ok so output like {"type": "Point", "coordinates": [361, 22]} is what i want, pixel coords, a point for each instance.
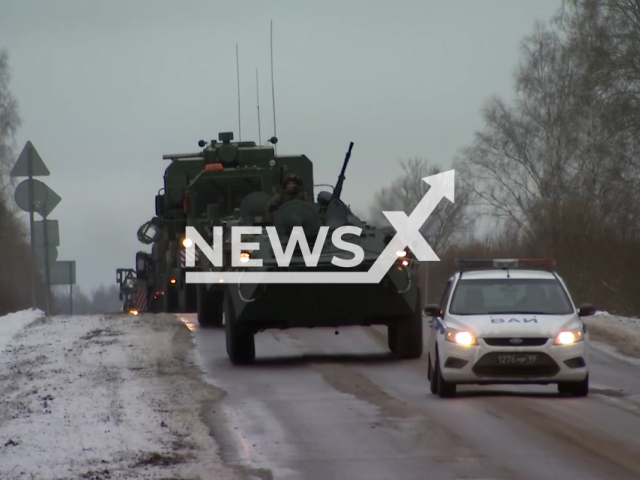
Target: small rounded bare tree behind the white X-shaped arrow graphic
{"type": "Point", "coordinates": [406, 191]}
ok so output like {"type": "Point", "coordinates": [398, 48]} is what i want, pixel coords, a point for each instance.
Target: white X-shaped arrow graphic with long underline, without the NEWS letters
{"type": "Point", "coordinates": [408, 235]}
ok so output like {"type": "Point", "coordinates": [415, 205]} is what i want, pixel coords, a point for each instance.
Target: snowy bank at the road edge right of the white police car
{"type": "Point", "coordinates": [623, 333]}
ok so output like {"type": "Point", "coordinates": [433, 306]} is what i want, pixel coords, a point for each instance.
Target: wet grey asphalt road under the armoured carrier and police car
{"type": "Point", "coordinates": [321, 406]}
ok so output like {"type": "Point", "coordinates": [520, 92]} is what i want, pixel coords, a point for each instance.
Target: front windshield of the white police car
{"type": "Point", "coordinates": [509, 295]}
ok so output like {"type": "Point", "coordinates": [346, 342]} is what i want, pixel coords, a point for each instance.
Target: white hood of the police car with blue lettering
{"type": "Point", "coordinates": [514, 324]}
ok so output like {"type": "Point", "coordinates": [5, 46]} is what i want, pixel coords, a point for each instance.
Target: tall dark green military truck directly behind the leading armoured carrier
{"type": "Point", "coordinates": [228, 174]}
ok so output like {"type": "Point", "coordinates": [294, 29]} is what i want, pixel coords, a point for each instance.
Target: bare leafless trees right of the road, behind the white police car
{"type": "Point", "coordinates": [555, 172]}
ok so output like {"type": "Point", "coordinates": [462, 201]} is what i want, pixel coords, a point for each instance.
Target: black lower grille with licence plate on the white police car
{"type": "Point", "coordinates": [493, 365]}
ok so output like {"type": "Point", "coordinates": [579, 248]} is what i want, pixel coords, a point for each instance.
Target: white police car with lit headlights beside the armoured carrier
{"type": "Point", "coordinates": [507, 322]}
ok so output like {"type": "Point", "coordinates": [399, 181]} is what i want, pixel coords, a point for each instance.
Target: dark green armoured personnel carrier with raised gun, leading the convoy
{"type": "Point", "coordinates": [396, 301]}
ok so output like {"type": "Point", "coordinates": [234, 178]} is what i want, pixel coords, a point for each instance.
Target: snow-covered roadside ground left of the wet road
{"type": "Point", "coordinates": [101, 397]}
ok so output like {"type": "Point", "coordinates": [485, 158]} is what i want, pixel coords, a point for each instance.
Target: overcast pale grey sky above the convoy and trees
{"type": "Point", "coordinates": [106, 88]}
